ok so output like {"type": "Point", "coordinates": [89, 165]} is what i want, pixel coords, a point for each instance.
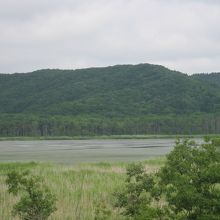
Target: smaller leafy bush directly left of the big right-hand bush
{"type": "Point", "coordinates": [140, 196]}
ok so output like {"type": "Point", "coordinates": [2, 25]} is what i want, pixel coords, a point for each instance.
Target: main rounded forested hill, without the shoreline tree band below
{"type": "Point", "coordinates": [111, 91]}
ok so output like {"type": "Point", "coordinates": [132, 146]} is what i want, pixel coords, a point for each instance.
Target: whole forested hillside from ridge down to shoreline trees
{"type": "Point", "coordinates": [100, 97]}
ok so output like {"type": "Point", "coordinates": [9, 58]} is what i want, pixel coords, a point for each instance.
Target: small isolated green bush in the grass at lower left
{"type": "Point", "coordinates": [36, 201]}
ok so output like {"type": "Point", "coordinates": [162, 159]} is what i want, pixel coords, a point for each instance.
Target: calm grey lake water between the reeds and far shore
{"type": "Point", "coordinates": [75, 151]}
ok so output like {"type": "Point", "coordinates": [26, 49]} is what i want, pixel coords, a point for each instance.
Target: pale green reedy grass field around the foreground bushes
{"type": "Point", "coordinates": [79, 189]}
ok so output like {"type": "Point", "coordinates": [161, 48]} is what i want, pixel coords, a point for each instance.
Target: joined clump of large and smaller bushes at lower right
{"type": "Point", "coordinates": [186, 187]}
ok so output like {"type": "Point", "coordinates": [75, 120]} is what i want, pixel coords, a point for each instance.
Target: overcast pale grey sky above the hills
{"type": "Point", "coordinates": [183, 35]}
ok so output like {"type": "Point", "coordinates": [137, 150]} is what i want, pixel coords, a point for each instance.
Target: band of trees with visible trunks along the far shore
{"type": "Point", "coordinates": [32, 125]}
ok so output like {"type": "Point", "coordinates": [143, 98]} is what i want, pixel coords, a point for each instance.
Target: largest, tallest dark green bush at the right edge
{"type": "Point", "coordinates": [190, 179]}
